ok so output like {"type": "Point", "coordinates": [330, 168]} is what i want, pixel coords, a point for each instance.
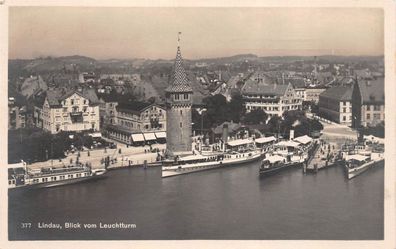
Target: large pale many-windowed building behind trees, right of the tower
{"type": "Point", "coordinates": [274, 99]}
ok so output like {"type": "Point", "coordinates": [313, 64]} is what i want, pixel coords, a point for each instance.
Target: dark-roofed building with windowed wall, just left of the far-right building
{"type": "Point", "coordinates": [336, 104]}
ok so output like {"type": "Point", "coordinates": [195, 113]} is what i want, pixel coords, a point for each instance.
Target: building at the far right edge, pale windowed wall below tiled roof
{"type": "Point", "coordinates": [373, 101]}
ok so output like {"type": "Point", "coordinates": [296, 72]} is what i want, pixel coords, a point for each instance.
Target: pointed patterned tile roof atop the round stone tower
{"type": "Point", "coordinates": [180, 82]}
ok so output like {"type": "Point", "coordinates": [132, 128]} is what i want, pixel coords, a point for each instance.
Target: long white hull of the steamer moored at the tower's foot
{"type": "Point", "coordinates": [186, 169]}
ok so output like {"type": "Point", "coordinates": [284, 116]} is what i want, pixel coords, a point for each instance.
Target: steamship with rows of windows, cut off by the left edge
{"type": "Point", "coordinates": [21, 177]}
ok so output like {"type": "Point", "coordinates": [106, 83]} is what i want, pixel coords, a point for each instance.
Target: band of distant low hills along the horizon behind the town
{"type": "Point", "coordinates": [77, 63]}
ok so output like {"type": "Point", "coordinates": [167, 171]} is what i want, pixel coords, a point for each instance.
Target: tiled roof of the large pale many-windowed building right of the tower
{"type": "Point", "coordinates": [254, 87]}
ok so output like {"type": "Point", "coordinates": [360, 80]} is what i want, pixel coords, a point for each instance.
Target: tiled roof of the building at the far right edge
{"type": "Point", "coordinates": [372, 91]}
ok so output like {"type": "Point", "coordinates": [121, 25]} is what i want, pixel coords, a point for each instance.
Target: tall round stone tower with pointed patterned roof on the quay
{"type": "Point", "coordinates": [178, 111]}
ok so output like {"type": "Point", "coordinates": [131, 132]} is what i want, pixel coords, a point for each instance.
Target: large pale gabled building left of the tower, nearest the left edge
{"type": "Point", "coordinates": [68, 110]}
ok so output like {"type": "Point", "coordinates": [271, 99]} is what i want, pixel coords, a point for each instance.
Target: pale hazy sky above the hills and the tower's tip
{"type": "Point", "coordinates": [126, 33]}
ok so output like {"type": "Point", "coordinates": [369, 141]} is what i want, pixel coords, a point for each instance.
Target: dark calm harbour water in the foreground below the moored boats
{"type": "Point", "coordinates": [228, 203]}
